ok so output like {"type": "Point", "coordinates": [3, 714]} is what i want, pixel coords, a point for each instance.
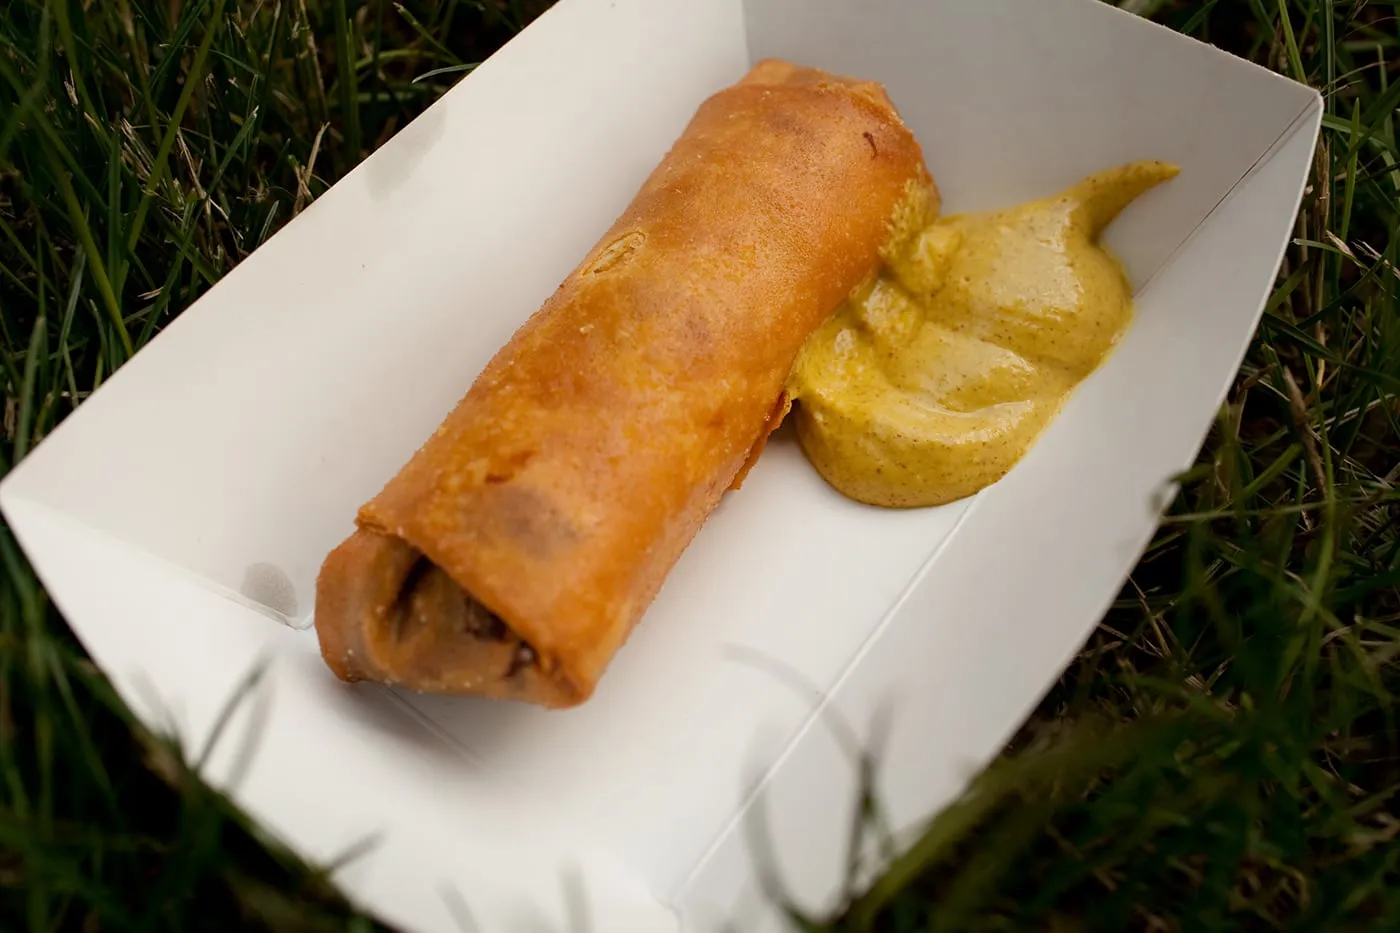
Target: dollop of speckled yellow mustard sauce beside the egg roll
{"type": "Point", "coordinates": [934, 379]}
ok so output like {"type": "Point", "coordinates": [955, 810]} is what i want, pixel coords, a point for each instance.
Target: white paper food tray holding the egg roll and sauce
{"type": "Point", "coordinates": [194, 498]}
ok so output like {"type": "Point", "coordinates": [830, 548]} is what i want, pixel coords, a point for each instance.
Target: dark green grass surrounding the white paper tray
{"type": "Point", "coordinates": [1221, 757]}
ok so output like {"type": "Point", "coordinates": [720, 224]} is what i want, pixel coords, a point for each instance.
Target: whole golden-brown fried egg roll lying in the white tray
{"type": "Point", "coordinates": [516, 551]}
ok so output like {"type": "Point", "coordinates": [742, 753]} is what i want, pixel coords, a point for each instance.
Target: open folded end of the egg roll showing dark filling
{"type": "Point", "coordinates": [412, 624]}
